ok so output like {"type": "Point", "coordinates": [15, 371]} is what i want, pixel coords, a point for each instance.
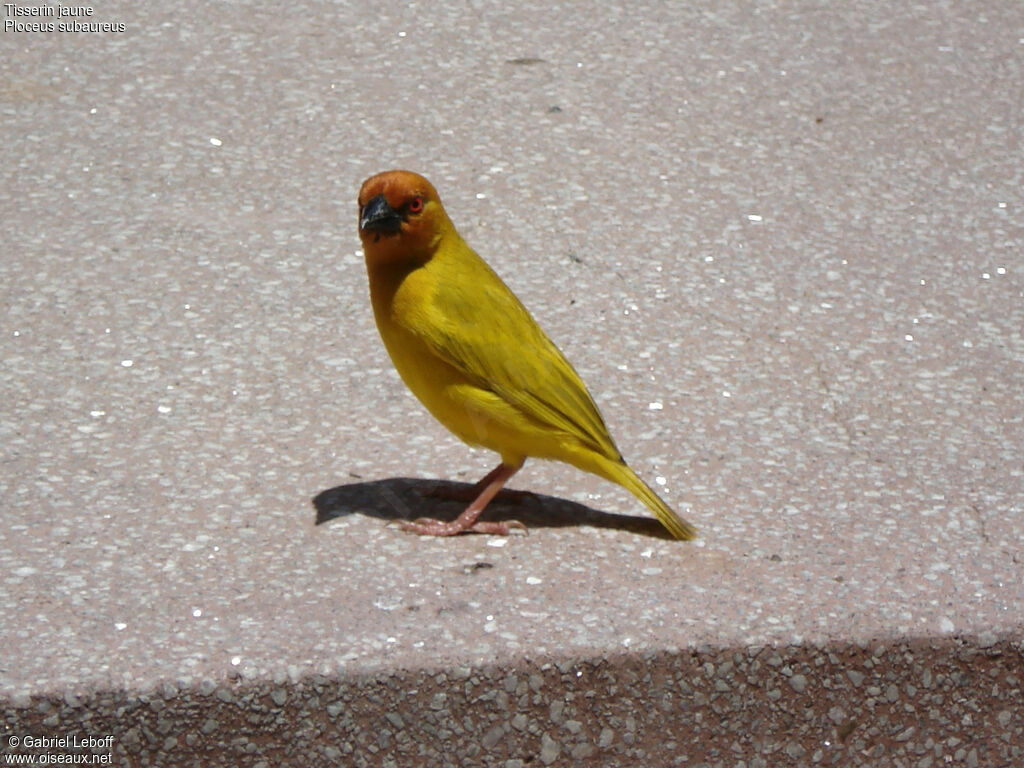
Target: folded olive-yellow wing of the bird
{"type": "Point", "coordinates": [478, 325]}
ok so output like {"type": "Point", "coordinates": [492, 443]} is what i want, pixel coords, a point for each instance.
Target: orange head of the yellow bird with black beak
{"type": "Point", "coordinates": [401, 219]}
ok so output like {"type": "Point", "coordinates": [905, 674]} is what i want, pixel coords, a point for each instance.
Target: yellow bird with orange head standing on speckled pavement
{"type": "Point", "coordinates": [471, 352]}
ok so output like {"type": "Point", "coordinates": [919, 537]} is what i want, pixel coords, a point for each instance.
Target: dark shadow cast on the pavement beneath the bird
{"type": "Point", "coordinates": [408, 499]}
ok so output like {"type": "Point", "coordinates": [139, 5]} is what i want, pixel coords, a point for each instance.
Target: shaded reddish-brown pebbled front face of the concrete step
{"type": "Point", "coordinates": [909, 704]}
